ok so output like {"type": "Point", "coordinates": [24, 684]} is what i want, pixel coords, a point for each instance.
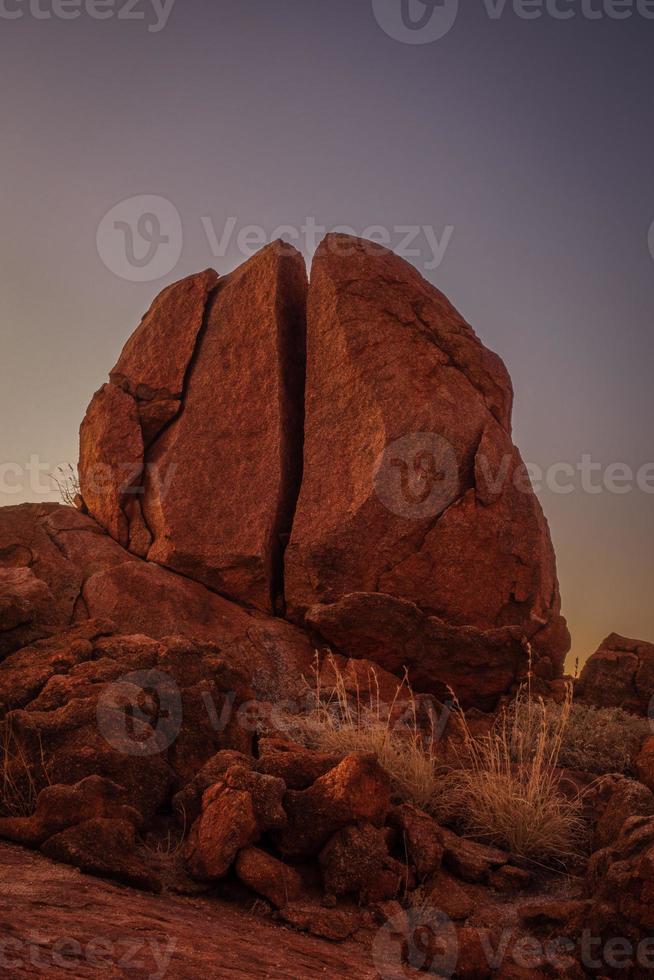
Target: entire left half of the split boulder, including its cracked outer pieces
{"type": "Point", "coordinates": [203, 472]}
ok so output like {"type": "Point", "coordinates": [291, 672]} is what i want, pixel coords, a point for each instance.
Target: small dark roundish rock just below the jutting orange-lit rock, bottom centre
{"type": "Point", "coordinates": [352, 859]}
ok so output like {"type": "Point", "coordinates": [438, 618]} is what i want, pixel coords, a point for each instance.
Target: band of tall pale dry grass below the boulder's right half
{"type": "Point", "coordinates": [503, 788]}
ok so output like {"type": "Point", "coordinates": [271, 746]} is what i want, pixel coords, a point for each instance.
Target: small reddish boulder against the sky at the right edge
{"type": "Point", "coordinates": [620, 674]}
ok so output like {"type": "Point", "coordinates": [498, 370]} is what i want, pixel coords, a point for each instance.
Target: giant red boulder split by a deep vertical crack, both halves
{"type": "Point", "coordinates": [341, 457]}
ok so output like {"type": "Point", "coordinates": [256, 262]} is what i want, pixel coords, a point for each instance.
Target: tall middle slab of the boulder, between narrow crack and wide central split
{"type": "Point", "coordinates": [223, 477]}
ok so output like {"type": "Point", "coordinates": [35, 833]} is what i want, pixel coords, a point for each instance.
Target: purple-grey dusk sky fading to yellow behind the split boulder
{"type": "Point", "coordinates": [532, 139]}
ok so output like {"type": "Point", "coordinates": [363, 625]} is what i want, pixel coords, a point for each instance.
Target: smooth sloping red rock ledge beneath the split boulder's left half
{"type": "Point", "coordinates": [90, 577]}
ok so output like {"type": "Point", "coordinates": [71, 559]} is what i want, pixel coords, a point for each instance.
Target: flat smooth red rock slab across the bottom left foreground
{"type": "Point", "coordinates": [97, 928]}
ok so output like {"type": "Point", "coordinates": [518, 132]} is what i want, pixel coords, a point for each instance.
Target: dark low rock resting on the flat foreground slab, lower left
{"type": "Point", "coordinates": [105, 847]}
